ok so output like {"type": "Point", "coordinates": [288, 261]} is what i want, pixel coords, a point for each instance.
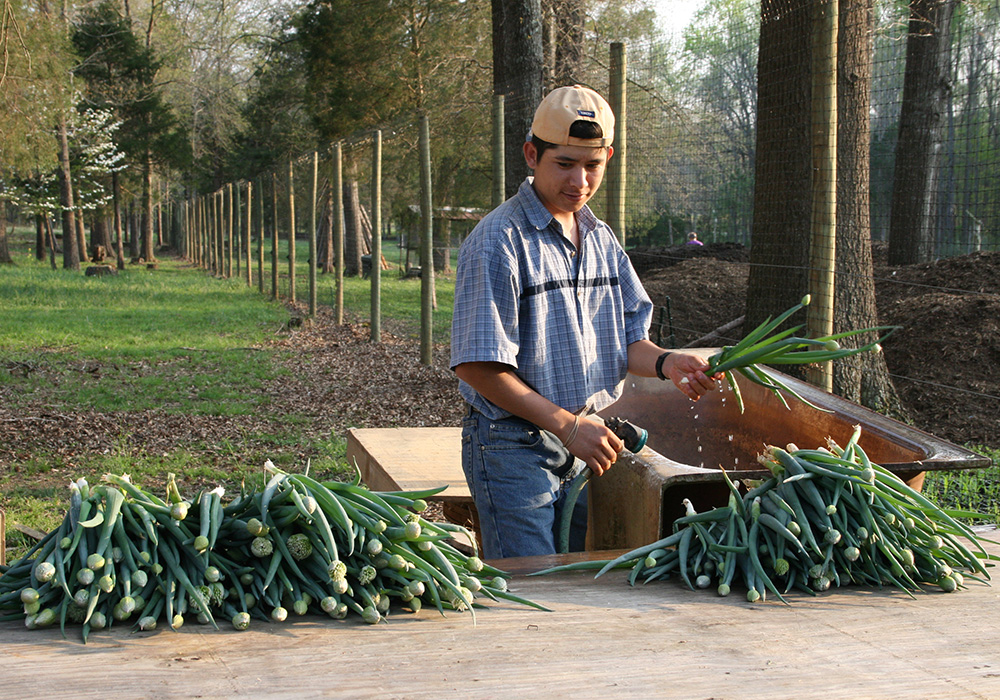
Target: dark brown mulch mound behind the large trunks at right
{"type": "Point", "coordinates": [945, 359]}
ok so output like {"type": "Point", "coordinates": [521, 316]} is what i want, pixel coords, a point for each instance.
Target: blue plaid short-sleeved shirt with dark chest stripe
{"type": "Point", "coordinates": [563, 320]}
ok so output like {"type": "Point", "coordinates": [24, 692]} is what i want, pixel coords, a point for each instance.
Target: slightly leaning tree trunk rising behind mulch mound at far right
{"type": "Point", "coordinates": [926, 84]}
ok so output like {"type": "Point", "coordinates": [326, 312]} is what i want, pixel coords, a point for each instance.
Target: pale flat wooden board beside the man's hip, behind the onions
{"type": "Point", "coordinates": [410, 459]}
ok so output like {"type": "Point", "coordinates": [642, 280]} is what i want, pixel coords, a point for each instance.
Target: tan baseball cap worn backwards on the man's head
{"type": "Point", "coordinates": [565, 105]}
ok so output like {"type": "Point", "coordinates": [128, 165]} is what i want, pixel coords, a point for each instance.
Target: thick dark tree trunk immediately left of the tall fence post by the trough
{"type": "Point", "coordinates": [779, 257]}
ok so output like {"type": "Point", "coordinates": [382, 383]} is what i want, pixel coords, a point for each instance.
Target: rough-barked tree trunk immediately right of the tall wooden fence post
{"type": "Point", "coordinates": [863, 379]}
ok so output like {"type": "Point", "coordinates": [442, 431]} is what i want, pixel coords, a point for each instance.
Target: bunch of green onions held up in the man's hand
{"type": "Point", "coordinates": [784, 348]}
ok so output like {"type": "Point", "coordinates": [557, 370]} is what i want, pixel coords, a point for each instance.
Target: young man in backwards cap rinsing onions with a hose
{"type": "Point", "coordinates": [549, 318]}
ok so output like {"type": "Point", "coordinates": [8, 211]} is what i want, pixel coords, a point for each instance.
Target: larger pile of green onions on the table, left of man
{"type": "Point", "coordinates": [125, 555]}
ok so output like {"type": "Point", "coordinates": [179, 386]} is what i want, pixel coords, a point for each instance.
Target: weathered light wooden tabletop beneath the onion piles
{"type": "Point", "coordinates": [602, 639]}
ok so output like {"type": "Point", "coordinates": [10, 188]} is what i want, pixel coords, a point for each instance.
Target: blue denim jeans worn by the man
{"type": "Point", "coordinates": [519, 476]}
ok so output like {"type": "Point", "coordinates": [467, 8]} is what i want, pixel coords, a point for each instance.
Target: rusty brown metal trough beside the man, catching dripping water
{"type": "Point", "coordinates": [636, 501]}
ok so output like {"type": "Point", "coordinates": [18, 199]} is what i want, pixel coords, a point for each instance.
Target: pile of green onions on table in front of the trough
{"type": "Point", "coordinates": [825, 517]}
